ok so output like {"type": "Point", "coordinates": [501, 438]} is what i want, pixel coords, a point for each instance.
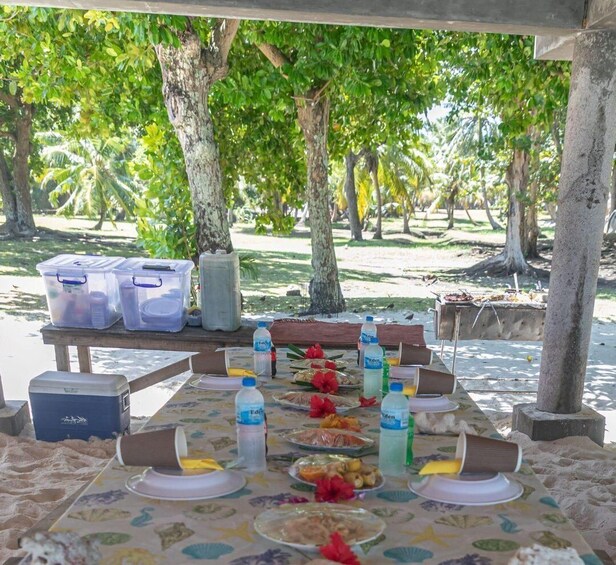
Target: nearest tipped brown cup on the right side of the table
{"type": "Point", "coordinates": [487, 455]}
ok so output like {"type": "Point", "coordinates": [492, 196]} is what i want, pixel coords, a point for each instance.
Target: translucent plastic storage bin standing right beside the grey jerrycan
{"type": "Point", "coordinates": [155, 293]}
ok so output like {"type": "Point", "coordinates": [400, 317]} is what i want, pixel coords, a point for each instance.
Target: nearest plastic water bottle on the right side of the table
{"type": "Point", "coordinates": [394, 427]}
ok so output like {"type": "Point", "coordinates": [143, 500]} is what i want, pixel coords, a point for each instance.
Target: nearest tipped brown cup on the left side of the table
{"type": "Point", "coordinates": [160, 448]}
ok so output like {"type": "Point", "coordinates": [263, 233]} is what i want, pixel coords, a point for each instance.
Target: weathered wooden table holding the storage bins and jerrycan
{"type": "Point", "coordinates": [191, 340]}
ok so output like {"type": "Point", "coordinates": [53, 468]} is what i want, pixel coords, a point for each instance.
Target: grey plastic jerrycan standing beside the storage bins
{"type": "Point", "coordinates": [219, 276]}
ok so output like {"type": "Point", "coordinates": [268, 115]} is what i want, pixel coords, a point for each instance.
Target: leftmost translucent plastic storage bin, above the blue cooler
{"type": "Point", "coordinates": [81, 290]}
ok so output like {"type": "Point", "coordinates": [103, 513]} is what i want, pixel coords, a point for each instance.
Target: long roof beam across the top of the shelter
{"type": "Point", "coordinates": [535, 17]}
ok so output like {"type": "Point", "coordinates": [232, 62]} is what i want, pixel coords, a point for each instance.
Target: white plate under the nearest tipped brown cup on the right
{"type": "Point", "coordinates": [468, 490]}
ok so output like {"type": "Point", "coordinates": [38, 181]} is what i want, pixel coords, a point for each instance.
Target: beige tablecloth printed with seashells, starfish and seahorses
{"type": "Point", "coordinates": [136, 530]}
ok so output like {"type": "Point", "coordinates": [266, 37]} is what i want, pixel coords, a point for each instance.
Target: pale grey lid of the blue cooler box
{"type": "Point", "coordinates": [91, 384]}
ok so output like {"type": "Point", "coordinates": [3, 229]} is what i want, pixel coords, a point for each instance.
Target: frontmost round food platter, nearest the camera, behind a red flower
{"type": "Point", "coordinates": [308, 526]}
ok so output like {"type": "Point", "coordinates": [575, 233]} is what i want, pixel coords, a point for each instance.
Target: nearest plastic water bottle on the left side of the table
{"type": "Point", "coordinates": [250, 422]}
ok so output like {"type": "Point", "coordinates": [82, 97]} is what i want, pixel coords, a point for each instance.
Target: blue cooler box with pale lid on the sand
{"type": "Point", "coordinates": [79, 405]}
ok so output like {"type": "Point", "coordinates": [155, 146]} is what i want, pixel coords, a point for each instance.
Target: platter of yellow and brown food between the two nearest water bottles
{"type": "Point", "coordinates": [364, 477]}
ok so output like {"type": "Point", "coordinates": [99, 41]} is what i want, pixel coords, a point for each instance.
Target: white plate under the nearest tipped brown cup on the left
{"type": "Point", "coordinates": [169, 484]}
